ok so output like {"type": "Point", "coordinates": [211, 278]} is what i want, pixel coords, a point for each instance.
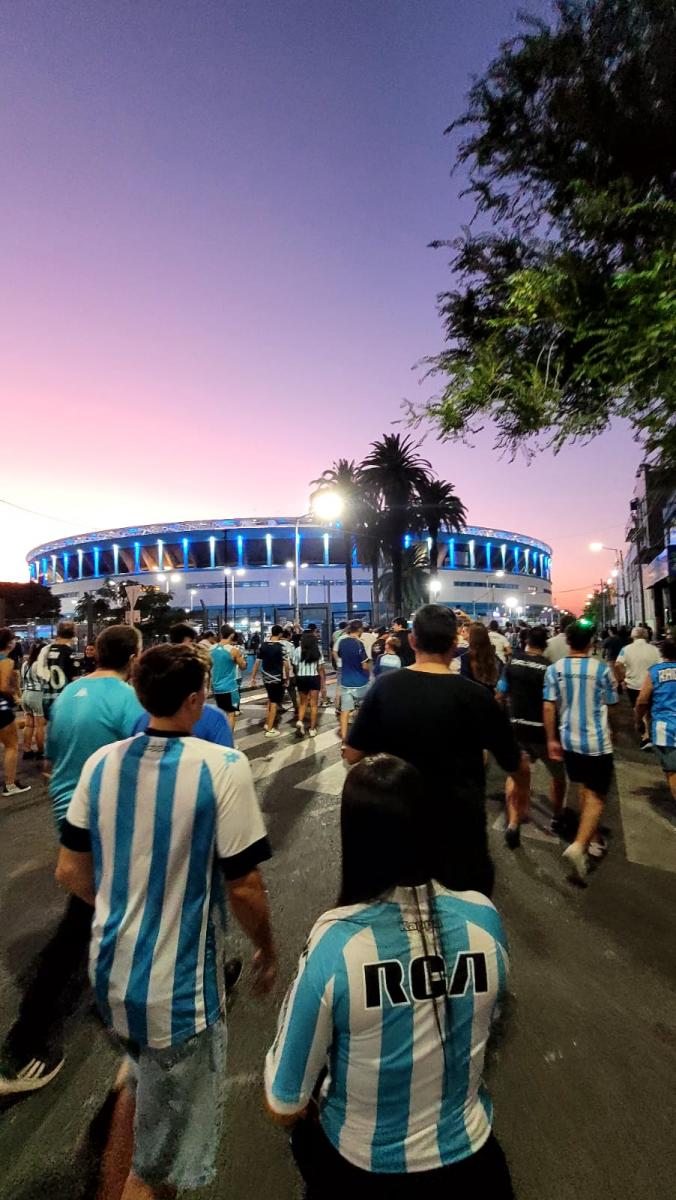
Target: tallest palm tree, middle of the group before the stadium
{"type": "Point", "coordinates": [396, 471]}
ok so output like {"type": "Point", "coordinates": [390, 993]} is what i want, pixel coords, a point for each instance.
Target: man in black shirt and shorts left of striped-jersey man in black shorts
{"type": "Point", "coordinates": [522, 686]}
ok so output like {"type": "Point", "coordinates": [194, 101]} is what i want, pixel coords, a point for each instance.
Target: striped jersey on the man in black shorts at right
{"type": "Point", "coordinates": [583, 689]}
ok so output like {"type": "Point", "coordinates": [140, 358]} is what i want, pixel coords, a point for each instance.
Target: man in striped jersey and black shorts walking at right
{"type": "Point", "coordinates": [581, 691]}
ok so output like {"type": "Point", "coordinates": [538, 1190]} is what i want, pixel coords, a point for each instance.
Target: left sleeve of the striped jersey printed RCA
{"type": "Point", "coordinates": [304, 1039]}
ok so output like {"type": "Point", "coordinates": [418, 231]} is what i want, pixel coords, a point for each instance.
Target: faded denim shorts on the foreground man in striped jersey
{"type": "Point", "coordinates": [180, 1109]}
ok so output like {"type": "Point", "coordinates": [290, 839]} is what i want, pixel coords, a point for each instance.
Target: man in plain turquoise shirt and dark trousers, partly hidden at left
{"type": "Point", "coordinates": [91, 713]}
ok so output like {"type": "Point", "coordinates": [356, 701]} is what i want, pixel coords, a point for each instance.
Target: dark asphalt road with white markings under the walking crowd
{"type": "Point", "coordinates": [584, 1079]}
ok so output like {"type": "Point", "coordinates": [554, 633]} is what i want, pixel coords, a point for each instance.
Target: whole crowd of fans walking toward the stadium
{"type": "Point", "coordinates": [379, 1057]}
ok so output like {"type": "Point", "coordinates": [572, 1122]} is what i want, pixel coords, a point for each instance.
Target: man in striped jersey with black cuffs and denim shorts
{"type": "Point", "coordinates": [165, 817]}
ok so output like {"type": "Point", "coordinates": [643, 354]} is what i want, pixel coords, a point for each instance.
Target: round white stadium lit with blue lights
{"type": "Point", "coordinates": [259, 569]}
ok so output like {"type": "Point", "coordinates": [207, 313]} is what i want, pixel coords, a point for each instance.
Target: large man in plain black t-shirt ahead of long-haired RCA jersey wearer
{"type": "Point", "coordinates": [441, 724]}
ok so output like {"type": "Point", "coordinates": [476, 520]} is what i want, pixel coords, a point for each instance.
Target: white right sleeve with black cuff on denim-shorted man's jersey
{"type": "Point", "coordinates": [242, 842]}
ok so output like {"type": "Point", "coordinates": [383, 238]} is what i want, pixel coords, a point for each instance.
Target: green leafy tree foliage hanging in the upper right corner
{"type": "Point", "coordinates": [565, 310]}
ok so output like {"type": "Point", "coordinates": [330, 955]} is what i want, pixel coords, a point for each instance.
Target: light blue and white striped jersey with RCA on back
{"type": "Point", "coordinates": [363, 1004]}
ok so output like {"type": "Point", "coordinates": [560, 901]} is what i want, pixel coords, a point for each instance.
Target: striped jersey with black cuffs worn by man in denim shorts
{"type": "Point", "coordinates": [160, 812]}
